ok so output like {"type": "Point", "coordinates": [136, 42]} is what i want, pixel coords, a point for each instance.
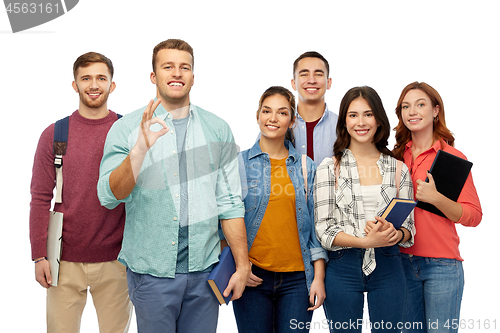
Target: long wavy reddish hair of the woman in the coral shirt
{"type": "Point", "coordinates": [403, 134]}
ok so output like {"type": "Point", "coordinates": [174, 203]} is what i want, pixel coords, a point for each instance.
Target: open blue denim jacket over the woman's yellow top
{"type": "Point", "coordinates": [255, 168]}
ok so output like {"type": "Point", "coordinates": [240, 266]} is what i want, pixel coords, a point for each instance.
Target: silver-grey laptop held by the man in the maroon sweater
{"type": "Point", "coordinates": [54, 245]}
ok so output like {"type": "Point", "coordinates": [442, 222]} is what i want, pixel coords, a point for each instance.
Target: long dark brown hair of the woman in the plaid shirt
{"type": "Point", "coordinates": [383, 131]}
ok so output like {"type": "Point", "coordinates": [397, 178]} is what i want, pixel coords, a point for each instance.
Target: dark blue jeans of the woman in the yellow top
{"type": "Point", "coordinates": [277, 305]}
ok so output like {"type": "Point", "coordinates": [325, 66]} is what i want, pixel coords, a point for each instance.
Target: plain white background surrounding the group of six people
{"type": "Point", "coordinates": [240, 50]}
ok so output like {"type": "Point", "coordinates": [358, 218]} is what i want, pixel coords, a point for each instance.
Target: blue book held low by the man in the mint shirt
{"type": "Point", "coordinates": [220, 275]}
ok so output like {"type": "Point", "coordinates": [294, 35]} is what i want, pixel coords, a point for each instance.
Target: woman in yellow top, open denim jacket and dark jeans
{"type": "Point", "coordinates": [288, 262]}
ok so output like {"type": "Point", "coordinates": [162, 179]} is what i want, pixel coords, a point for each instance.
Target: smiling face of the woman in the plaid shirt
{"type": "Point", "coordinates": [360, 122]}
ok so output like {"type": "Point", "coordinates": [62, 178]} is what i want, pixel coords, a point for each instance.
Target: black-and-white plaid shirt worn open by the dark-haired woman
{"type": "Point", "coordinates": [341, 209]}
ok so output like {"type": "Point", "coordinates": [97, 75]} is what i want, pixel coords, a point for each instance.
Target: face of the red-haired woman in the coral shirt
{"type": "Point", "coordinates": [417, 111]}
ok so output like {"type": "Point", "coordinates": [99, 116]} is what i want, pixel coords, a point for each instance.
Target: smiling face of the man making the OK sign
{"type": "Point", "coordinates": [173, 77]}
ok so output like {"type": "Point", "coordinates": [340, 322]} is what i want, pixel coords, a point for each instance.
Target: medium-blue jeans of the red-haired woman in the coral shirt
{"type": "Point", "coordinates": [434, 288]}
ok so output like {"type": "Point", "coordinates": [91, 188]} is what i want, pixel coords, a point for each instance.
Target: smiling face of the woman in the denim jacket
{"type": "Point", "coordinates": [274, 117]}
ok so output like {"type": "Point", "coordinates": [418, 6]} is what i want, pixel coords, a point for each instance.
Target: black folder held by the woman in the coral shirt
{"type": "Point", "coordinates": [450, 173]}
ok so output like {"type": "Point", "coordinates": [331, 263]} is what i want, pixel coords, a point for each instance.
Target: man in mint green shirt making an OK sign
{"type": "Point", "coordinates": [175, 167]}
